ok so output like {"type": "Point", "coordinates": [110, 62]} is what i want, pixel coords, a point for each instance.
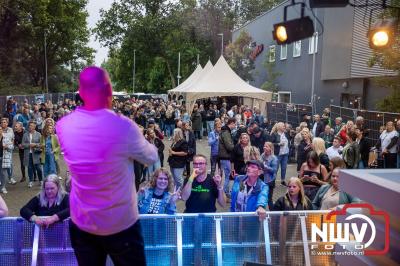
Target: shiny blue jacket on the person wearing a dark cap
{"type": "Point", "coordinates": [258, 197]}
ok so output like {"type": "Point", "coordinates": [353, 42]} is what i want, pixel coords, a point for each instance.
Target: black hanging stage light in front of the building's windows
{"type": "Point", "coordinates": [293, 30]}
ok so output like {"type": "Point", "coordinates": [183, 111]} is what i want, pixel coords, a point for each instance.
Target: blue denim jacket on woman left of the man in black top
{"type": "Point", "coordinates": [144, 200]}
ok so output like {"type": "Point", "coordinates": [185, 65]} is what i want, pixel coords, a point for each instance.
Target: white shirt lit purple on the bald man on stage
{"type": "Point", "coordinates": [99, 148]}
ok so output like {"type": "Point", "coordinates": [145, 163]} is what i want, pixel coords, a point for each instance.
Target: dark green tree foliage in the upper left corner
{"type": "Point", "coordinates": [24, 26]}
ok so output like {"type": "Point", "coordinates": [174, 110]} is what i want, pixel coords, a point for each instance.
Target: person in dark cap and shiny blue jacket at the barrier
{"type": "Point", "coordinates": [249, 193]}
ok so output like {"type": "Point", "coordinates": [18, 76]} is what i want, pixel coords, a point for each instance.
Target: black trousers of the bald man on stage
{"type": "Point", "coordinates": [124, 248]}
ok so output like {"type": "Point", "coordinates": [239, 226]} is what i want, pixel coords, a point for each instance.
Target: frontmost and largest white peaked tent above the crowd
{"type": "Point", "coordinates": [221, 80]}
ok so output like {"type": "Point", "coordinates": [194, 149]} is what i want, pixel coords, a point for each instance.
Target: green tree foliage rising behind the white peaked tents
{"type": "Point", "coordinates": [159, 30]}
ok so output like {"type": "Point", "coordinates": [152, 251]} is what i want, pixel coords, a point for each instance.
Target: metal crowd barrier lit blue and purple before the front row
{"type": "Point", "coordinates": [182, 239]}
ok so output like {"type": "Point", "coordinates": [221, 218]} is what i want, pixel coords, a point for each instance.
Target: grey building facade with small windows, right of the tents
{"type": "Point", "coordinates": [341, 73]}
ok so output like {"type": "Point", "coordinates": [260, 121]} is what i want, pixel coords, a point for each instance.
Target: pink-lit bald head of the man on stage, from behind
{"type": "Point", "coordinates": [95, 88]}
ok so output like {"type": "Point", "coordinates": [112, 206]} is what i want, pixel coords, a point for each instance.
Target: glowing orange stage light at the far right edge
{"type": "Point", "coordinates": [381, 35]}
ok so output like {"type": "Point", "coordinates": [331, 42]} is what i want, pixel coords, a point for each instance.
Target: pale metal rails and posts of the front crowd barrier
{"type": "Point", "coordinates": [219, 245]}
